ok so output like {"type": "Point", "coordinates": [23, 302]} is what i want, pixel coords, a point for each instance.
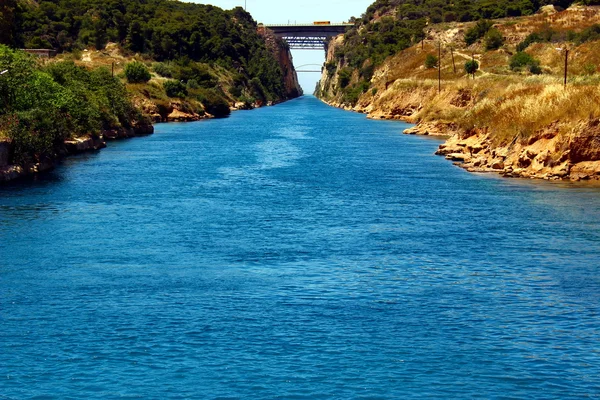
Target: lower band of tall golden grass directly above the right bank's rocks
{"type": "Point", "coordinates": [511, 108]}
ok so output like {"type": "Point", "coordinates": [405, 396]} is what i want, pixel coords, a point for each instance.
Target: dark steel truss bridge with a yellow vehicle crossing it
{"type": "Point", "coordinates": [313, 36]}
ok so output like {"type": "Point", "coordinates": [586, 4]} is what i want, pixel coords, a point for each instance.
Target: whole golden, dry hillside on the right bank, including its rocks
{"type": "Point", "coordinates": [513, 116]}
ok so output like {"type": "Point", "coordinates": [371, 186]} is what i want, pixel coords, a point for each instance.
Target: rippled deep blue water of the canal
{"type": "Point", "coordinates": [295, 252]}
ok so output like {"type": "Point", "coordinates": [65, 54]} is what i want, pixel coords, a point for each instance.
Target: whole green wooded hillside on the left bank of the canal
{"type": "Point", "coordinates": [122, 65]}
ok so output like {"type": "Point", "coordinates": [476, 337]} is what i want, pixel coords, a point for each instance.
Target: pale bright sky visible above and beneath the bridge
{"type": "Point", "coordinates": [300, 11]}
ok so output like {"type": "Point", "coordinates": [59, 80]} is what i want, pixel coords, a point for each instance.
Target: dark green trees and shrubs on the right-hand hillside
{"type": "Point", "coordinates": [391, 26]}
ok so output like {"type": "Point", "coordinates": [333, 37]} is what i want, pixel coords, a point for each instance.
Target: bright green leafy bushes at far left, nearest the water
{"type": "Point", "coordinates": [41, 106]}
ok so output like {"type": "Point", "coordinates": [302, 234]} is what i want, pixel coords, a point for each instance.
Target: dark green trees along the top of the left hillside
{"type": "Point", "coordinates": [162, 30]}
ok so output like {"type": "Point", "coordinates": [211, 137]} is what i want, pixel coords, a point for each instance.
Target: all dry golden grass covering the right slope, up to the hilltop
{"type": "Point", "coordinates": [509, 105]}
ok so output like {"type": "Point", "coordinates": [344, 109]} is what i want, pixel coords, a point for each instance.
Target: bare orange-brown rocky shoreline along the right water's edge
{"type": "Point", "coordinates": [547, 155]}
